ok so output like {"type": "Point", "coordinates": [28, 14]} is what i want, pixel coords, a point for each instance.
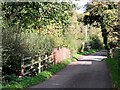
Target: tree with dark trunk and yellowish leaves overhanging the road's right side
{"type": "Point", "coordinates": [104, 15]}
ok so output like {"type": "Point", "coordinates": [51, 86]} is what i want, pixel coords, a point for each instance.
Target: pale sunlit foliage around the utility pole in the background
{"type": "Point", "coordinates": [76, 35]}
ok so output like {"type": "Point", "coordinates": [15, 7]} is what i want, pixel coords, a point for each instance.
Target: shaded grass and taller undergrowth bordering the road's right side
{"type": "Point", "coordinates": [114, 65]}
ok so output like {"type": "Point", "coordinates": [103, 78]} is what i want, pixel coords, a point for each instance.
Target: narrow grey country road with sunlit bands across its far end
{"type": "Point", "coordinates": [88, 72]}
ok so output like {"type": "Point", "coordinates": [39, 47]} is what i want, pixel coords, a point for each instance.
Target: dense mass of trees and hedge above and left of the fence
{"type": "Point", "coordinates": [31, 28]}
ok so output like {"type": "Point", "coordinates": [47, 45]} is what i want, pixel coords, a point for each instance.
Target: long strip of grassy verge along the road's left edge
{"type": "Point", "coordinates": [26, 82]}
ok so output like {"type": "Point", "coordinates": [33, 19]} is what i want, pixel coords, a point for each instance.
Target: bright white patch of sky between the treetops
{"type": "Point", "coordinates": [80, 3]}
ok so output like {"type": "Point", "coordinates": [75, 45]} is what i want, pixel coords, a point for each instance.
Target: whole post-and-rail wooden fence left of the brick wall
{"type": "Point", "coordinates": [39, 61]}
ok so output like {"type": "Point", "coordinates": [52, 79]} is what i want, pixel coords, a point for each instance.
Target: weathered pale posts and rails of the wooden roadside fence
{"type": "Point", "coordinates": [39, 63]}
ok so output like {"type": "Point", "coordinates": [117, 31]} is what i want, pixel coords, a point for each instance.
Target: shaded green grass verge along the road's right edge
{"type": "Point", "coordinates": [114, 70]}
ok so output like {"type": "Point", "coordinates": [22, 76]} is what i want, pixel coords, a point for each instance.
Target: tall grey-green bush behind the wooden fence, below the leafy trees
{"type": "Point", "coordinates": [17, 45]}
